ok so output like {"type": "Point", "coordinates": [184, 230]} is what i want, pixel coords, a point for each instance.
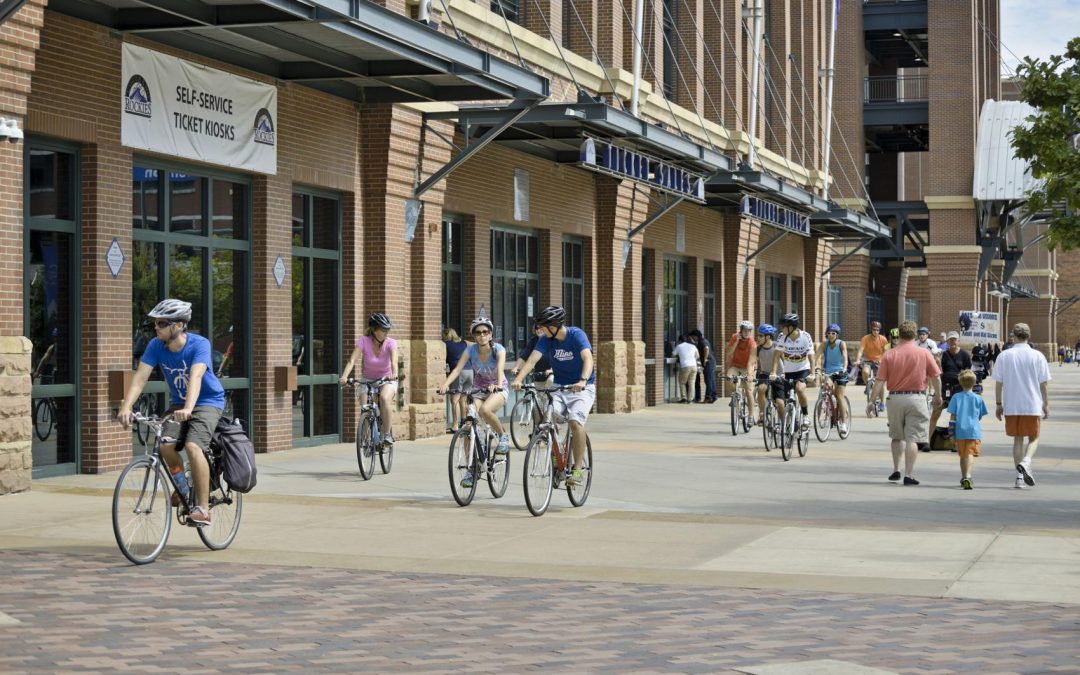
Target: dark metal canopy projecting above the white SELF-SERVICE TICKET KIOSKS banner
{"type": "Point", "coordinates": [352, 49]}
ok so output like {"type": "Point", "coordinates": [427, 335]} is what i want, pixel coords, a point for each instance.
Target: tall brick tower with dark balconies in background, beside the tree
{"type": "Point", "coordinates": [917, 75]}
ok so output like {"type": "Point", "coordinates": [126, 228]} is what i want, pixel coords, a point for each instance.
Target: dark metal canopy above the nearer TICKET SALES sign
{"type": "Point", "coordinates": [556, 131]}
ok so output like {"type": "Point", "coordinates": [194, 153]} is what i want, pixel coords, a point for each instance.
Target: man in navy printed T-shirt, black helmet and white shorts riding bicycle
{"type": "Point", "coordinates": [572, 360]}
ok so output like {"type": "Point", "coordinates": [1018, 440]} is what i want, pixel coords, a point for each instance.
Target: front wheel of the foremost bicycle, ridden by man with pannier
{"type": "Point", "coordinates": [142, 511]}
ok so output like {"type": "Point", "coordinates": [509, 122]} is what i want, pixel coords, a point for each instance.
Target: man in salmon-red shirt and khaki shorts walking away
{"type": "Point", "coordinates": [908, 371]}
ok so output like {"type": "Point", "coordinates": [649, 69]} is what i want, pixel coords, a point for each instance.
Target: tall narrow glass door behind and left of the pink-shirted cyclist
{"type": "Point", "coordinates": [317, 326]}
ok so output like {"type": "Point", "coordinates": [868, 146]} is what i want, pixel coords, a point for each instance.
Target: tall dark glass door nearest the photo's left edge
{"type": "Point", "coordinates": [51, 299]}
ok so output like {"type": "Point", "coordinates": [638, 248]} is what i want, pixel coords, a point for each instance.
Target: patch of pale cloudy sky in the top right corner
{"type": "Point", "coordinates": [1037, 29]}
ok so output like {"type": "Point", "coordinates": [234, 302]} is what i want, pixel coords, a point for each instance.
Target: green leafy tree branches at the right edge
{"type": "Point", "coordinates": [1051, 142]}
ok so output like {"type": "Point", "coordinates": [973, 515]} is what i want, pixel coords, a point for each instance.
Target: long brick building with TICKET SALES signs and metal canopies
{"type": "Point", "coordinates": [370, 207]}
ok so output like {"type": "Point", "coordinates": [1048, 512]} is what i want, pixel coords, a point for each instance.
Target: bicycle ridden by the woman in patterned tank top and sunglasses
{"type": "Point", "coordinates": [474, 456]}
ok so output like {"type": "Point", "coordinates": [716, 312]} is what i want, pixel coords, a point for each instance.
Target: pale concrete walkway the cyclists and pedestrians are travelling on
{"type": "Point", "coordinates": [677, 499]}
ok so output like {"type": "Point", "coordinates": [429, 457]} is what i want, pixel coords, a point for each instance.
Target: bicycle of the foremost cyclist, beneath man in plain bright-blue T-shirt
{"type": "Point", "coordinates": [142, 503]}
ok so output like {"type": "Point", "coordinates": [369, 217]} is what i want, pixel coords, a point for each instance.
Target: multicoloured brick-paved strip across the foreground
{"type": "Point", "coordinates": [96, 613]}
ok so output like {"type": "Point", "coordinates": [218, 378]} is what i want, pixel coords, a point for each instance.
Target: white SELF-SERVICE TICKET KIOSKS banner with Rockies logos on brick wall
{"type": "Point", "coordinates": [185, 110]}
